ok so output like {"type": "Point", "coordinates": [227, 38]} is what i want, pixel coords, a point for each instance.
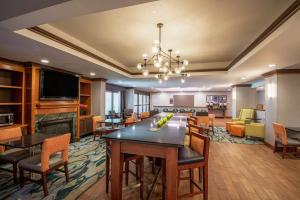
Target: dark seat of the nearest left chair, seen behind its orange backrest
{"type": "Point", "coordinates": [34, 162]}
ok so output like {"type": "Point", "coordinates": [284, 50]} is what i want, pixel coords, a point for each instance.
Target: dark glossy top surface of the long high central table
{"type": "Point", "coordinates": [171, 134]}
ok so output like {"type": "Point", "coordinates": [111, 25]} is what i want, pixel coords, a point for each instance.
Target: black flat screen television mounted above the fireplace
{"type": "Point", "coordinates": [56, 85]}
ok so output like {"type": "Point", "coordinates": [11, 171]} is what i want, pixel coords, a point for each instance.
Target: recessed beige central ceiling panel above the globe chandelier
{"type": "Point", "coordinates": [204, 31]}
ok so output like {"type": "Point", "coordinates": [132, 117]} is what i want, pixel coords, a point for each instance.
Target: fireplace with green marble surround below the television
{"type": "Point", "coordinates": [56, 124]}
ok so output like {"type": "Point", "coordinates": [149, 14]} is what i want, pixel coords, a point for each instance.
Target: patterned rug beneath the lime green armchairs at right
{"type": "Point", "coordinates": [221, 135]}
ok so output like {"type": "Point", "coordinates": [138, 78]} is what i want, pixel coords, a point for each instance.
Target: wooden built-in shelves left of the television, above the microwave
{"type": "Point", "coordinates": [12, 90]}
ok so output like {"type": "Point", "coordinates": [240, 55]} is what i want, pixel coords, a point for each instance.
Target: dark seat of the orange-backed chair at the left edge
{"type": "Point", "coordinates": [14, 155]}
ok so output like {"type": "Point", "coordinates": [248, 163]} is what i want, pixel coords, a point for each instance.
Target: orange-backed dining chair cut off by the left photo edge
{"type": "Point", "coordinates": [12, 156]}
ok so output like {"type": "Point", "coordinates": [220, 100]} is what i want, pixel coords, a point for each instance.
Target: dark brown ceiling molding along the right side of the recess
{"type": "Point", "coordinates": [289, 12]}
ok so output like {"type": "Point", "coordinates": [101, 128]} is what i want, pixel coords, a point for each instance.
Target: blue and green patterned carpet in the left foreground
{"type": "Point", "coordinates": [86, 166]}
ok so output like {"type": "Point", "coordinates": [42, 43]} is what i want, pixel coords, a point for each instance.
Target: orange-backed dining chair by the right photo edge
{"type": "Point", "coordinates": [282, 138]}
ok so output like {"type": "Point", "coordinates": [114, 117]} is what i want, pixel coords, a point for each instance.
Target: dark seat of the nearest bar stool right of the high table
{"type": "Point", "coordinates": [187, 156]}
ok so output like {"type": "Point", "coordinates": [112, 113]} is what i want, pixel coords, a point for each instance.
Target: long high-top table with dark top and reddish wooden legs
{"type": "Point", "coordinates": [139, 140]}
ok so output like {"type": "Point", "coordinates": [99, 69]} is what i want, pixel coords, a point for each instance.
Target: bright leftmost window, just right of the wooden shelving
{"type": "Point", "coordinates": [112, 102]}
